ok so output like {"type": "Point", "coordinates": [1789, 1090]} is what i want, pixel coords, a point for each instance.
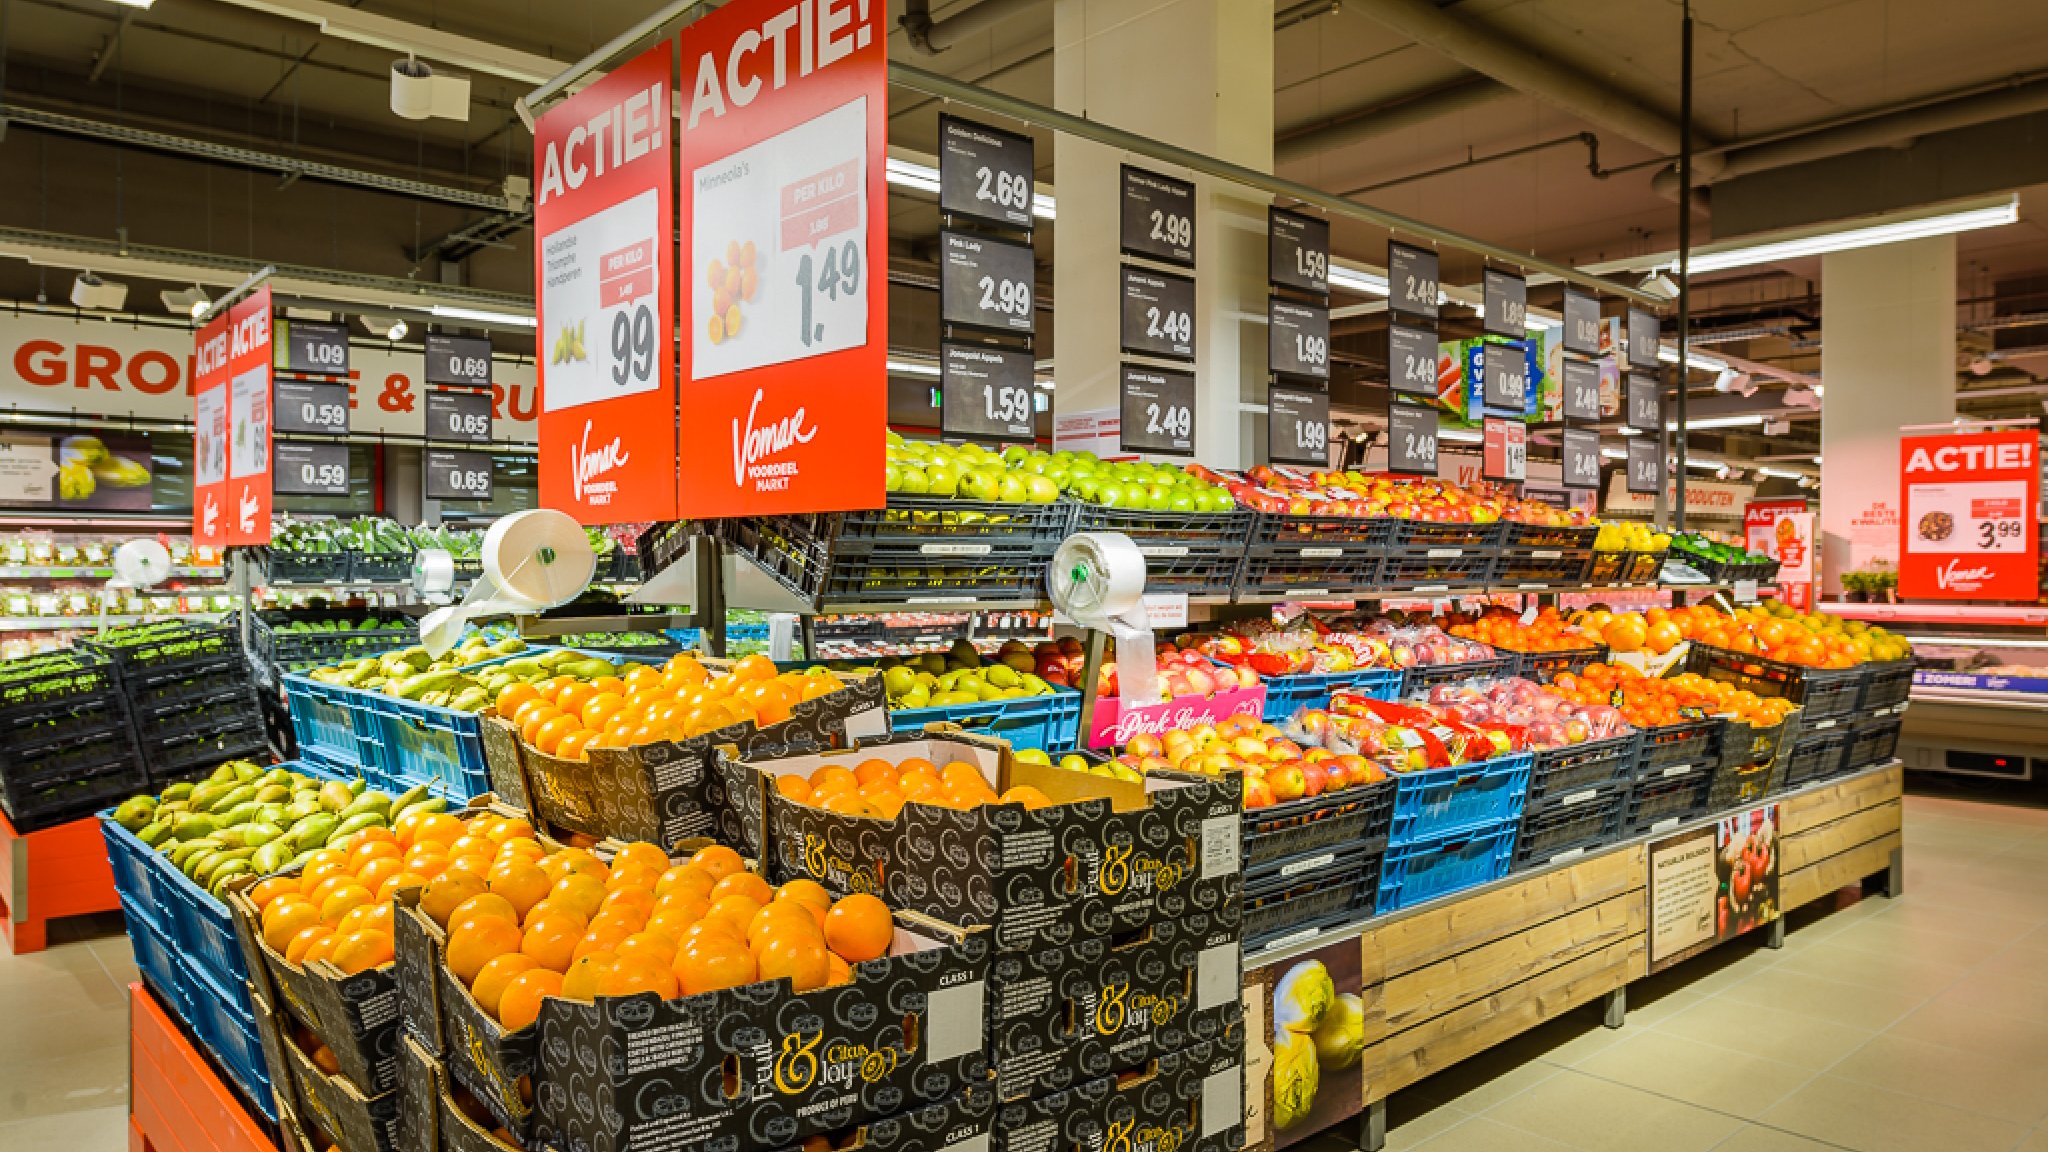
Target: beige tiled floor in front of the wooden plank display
{"type": "Point", "coordinates": [1885, 1026]}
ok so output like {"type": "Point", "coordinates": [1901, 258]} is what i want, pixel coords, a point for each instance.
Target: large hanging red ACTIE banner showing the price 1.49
{"type": "Point", "coordinates": [785, 253]}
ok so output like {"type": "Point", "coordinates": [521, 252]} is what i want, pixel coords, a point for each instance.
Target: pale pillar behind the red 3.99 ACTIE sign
{"type": "Point", "coordinates": [1887, 362]}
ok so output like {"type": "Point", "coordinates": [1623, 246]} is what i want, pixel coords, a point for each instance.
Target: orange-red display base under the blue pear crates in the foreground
{"type": "Point", "coordinates": [177, 1104]}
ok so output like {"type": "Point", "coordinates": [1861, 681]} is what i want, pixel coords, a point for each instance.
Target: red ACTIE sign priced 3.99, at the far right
{"type": "Point", "coordinates": [1969, 526]}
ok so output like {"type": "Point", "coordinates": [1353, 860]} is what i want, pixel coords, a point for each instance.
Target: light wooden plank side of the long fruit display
{"type": "Point", "coordinates": [1457, 977]}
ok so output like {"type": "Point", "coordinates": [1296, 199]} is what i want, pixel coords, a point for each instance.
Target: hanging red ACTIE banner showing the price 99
{"type": "Point", "coordinates": [607, 274]}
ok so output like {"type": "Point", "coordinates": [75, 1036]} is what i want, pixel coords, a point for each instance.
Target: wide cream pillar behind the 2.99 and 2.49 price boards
{"type": "Point", "coordinates": [1197, 75]}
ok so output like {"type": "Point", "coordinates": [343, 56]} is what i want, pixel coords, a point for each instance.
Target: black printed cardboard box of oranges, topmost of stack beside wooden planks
{"type": "Point", "coordinates": [1105, 858]}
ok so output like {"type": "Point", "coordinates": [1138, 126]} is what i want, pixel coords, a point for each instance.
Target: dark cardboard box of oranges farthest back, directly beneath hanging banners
{"type": "Point", "coordinates": [669, 792]}
